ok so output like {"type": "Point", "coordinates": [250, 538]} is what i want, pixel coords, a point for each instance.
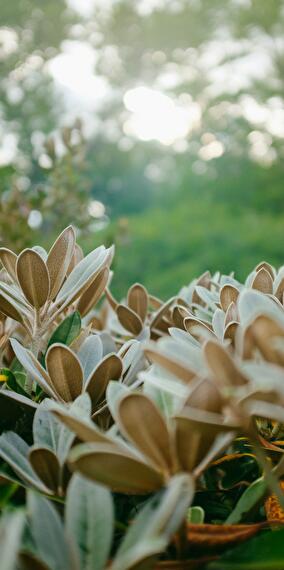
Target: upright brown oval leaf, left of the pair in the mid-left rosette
{"type": "Point", "coordinates": [65, 372]}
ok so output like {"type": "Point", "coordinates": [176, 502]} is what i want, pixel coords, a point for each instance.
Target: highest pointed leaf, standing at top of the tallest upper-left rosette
{"type": "Point", "coordinates": [59, 259]}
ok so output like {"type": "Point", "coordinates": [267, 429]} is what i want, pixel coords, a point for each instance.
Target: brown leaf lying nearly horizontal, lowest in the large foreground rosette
{"type": "Point", "coordinates": [106, 463]}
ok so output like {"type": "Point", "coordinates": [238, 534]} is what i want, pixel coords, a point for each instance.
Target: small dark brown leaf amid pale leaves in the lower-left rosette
{"type": "Point", "coordinates": [46, 466]}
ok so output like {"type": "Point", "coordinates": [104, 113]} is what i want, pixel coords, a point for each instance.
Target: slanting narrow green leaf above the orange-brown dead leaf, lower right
{"type": "Point", "coordinates": [249, 500]}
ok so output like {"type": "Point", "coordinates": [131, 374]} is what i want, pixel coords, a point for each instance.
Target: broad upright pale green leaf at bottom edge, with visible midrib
{"type": "Point", "coordinates": [89, 515]}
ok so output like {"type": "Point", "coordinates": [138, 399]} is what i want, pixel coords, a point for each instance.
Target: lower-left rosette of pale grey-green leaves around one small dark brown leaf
{"type": "Point", "coordinates": [42, 466]}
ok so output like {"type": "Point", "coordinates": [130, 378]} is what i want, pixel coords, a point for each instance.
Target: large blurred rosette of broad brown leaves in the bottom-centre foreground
{"type": "Point", "coordinates": [151, 449]}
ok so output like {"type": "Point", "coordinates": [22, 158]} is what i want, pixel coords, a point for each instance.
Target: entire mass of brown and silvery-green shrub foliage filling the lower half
{"type": "Point", "coordinates": [140, 430]}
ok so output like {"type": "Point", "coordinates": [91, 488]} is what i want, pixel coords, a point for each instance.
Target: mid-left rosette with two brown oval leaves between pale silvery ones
{"type": "Point", "coordinates": [89, 370]}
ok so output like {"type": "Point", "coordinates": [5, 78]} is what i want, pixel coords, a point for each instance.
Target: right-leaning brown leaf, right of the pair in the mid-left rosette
{"type": "Point", "coordinates": [110, 368]}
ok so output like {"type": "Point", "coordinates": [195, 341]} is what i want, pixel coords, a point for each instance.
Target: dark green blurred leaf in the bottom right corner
{"type": "Point", "coordinates": [265, 552]}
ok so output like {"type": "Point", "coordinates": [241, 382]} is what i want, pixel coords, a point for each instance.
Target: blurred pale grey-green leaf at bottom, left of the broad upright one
{"type": "Point", "coordinates": [48, 534]}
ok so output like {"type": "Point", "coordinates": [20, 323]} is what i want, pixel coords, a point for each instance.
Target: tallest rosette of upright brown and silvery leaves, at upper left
{"type": "Point", "coordinates": [44, 286]}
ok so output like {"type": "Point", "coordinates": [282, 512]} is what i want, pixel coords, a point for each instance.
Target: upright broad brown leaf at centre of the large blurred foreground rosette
{"type": "Point", "coordinates": [142, 423]}
